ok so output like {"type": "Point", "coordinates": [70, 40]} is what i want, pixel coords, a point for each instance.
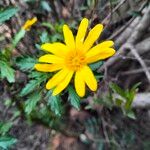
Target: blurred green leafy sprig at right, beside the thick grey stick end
{"type": "Point", "coordinates": [119, 97]}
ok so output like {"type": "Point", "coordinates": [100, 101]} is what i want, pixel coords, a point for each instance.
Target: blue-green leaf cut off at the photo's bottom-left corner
{"type": "Point", "coordinates": [6, 142]}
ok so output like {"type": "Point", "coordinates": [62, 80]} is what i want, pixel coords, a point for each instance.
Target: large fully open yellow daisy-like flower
{"type": "Point", "coordinates": [73, 58]}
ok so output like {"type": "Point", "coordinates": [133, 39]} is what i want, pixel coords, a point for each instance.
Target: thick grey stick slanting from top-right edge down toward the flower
{"type": "Point", "coordinates": [136, 35]}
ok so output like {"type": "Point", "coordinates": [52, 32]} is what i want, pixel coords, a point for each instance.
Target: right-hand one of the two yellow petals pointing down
{"type": "Point", "coordinates": [89, 78]}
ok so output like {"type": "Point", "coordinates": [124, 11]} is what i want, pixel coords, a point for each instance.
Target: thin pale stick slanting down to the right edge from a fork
{"type": "Point", "coordinates": [138, 57]}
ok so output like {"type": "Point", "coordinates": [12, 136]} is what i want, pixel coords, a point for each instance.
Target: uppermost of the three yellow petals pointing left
{"type": "Point", "coordinates": [57, 48]}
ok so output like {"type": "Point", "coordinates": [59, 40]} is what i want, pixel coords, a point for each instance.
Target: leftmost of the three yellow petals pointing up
{"type": "Point", "coordinates": [68, 36]}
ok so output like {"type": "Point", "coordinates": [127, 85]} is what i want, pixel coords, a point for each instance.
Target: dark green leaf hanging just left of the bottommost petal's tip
{"type": "Point", "coordinates": [74, 98]}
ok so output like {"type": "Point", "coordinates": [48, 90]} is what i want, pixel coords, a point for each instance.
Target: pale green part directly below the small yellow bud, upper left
{"type": "Point", "coordinates": [18, 37]}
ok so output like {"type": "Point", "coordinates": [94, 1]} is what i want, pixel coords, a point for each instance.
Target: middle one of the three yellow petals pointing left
{"type": "Point", "coordinates": [48, 58]}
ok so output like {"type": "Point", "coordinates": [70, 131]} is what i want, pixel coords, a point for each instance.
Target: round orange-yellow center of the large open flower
{"type": "Point", "coordinates": [75, 60]}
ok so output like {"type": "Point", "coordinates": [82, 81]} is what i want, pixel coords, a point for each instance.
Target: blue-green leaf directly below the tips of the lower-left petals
{"type": "Point", "coordinates": [55, 103]}
